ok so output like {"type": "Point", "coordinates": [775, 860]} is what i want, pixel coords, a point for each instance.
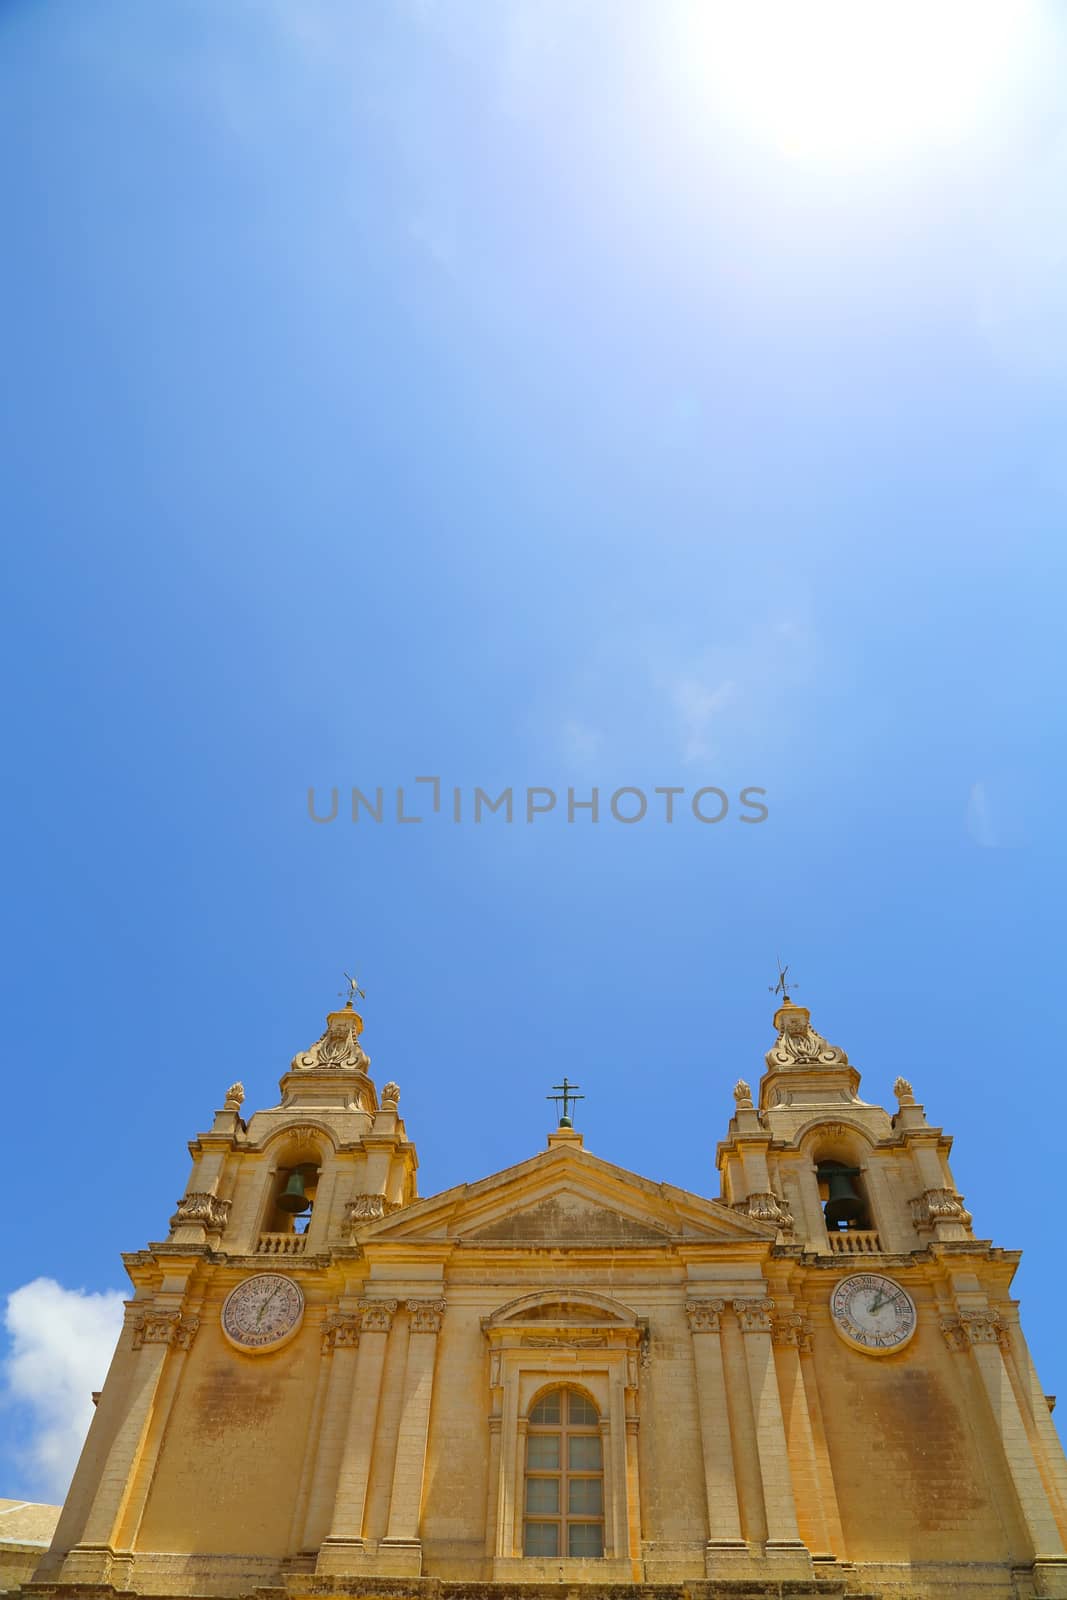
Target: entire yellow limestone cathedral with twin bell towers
{"type": "Point", "coordinates": [569, 1375]}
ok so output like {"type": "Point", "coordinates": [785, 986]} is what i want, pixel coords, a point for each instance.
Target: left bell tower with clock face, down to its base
{"type": "Point", "coordinates": [191, 1430]}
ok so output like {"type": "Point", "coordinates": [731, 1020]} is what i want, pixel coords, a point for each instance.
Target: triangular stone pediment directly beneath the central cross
{"type": "Point", "coordinates": [565, 1198]}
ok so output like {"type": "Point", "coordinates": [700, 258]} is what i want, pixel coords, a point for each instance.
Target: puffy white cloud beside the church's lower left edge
{"type": "Point", "coordinates": [62, 1346]}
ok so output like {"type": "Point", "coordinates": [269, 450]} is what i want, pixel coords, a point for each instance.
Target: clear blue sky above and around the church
{"type": "Point", "coordinates": [484, 393]}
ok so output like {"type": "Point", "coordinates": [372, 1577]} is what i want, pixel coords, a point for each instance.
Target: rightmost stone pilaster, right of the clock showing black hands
{"type": "Point", "coordinates": [981, 1334]}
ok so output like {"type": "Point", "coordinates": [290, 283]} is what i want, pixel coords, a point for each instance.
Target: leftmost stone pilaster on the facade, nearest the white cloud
{"type": "Point", "coordinates": [154, 1332]}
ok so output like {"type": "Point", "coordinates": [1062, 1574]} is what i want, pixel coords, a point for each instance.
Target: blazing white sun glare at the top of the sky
{"type": "Point", "coordinates": [853, 79]}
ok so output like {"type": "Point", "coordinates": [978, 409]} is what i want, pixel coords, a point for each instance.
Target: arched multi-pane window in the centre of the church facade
{"type": "Point", "coordinates": [564, 1478]}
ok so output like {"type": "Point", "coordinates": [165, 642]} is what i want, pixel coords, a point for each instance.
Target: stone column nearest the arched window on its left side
{"type": "Point", "coordinates": [402, 1538]}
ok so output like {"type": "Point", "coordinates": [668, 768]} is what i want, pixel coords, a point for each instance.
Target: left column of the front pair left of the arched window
{"type": "Point", "coordinates": [345, 1542]}
